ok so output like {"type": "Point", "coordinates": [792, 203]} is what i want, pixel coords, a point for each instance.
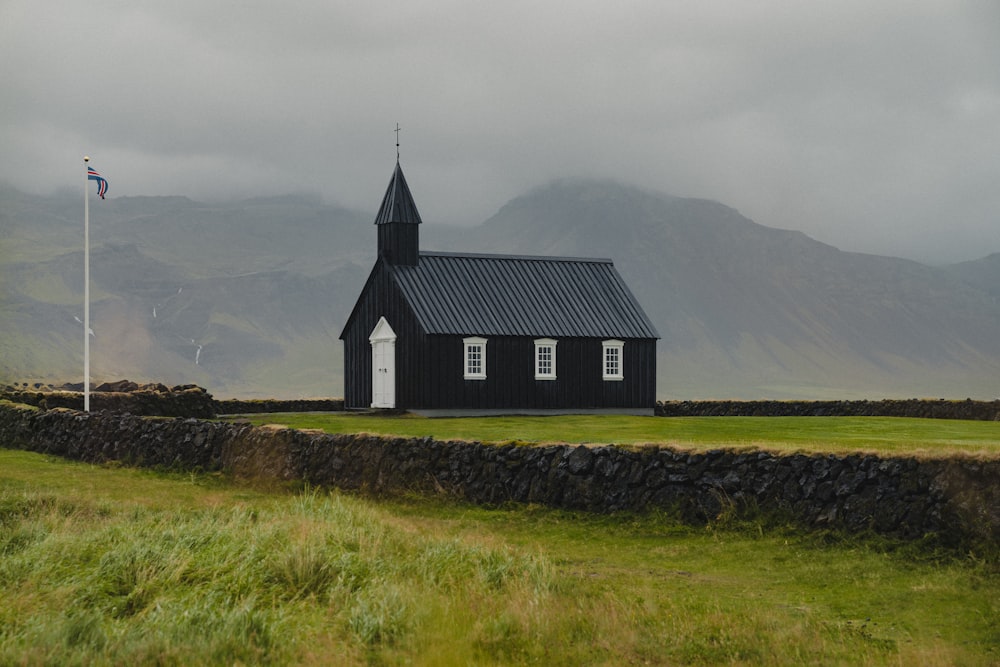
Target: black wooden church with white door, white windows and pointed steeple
{"type": "Point", "coordinates": [455, 333]}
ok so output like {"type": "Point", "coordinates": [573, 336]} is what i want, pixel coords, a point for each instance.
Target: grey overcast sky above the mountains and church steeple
{"type": "Point", "coordinates": [873, 125]}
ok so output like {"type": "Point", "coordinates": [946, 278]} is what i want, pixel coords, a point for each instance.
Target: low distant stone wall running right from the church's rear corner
{"type": "Point", "coordinates": [912, 407]}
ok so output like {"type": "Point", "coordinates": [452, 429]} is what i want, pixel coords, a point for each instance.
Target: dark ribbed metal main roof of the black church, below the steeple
{"type": "Point", "coordinates": [511, 295]}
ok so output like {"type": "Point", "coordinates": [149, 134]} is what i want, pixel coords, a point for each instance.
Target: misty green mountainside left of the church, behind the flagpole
{"type": "Point", "coordinates": [244, 298]}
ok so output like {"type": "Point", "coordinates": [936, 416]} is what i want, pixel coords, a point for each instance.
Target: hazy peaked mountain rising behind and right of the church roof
{"type": "Point", "coordinates": [749, 310]}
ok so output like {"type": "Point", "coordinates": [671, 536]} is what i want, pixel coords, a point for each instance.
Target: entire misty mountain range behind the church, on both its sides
{"type": "Point", "coordinates": [248, 298]}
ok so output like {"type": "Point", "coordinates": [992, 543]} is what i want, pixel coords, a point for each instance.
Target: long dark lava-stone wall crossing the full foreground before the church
{"type": "Point", "coordinates": [955, 499]}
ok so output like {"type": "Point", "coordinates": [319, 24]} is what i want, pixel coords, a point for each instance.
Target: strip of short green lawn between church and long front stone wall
{"type": "Point", "coordinates": [884, 435]}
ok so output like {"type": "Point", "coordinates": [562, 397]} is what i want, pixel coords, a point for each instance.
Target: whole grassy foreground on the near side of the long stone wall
{"type": "Point", "coordinates": [117, 566]}
